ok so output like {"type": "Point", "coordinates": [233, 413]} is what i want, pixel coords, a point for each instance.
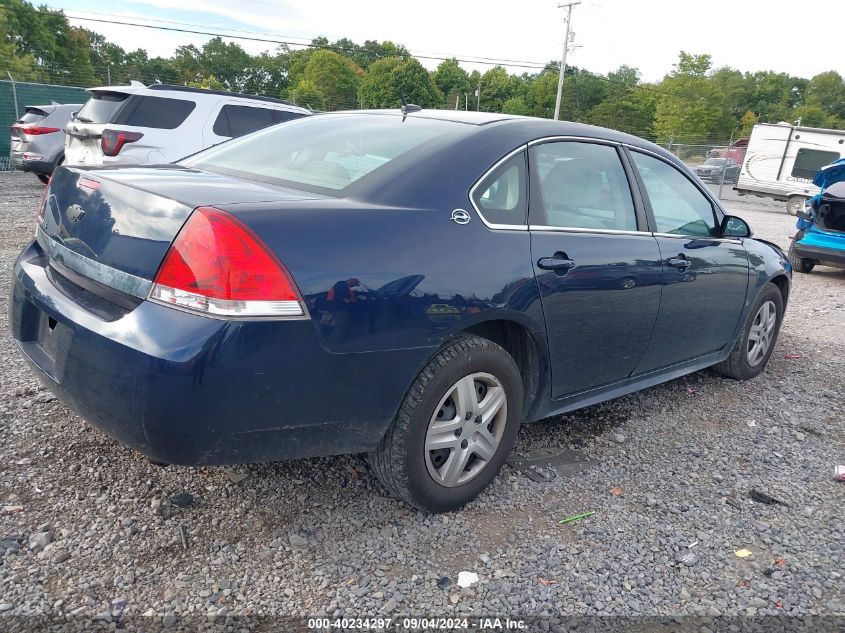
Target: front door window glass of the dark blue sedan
{"type": "Point", "coordinates": [679, 207]}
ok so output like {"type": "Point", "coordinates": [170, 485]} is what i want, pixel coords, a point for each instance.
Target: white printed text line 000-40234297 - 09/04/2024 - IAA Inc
{"type": "Point", "coordinates": [417, 624]}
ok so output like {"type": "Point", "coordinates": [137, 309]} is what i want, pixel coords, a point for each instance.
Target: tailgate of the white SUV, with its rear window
{"type": "Point", "coordinates": [83, 133]}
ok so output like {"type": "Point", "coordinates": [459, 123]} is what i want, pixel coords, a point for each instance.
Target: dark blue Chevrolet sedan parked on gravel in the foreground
{"type": "Point", "coordinates": [408, 285]}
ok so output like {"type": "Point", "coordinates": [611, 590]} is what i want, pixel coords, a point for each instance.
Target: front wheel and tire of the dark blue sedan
{"type": "Point", "coordinates": [755, 344]}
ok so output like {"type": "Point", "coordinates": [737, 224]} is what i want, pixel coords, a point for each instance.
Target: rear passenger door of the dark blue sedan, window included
{"type": "Point", "coordinates": [596, 263]}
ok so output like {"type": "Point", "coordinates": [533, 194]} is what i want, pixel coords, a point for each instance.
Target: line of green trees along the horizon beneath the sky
{"type": "Point", "coordinates": [694, 103]}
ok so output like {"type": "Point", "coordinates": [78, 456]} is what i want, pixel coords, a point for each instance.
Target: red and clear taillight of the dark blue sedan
{"type": "Point", "coordinates": [217, 266]}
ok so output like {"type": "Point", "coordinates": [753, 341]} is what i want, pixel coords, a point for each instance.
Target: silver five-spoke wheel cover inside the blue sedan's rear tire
{"type": "Point", "coordinates": [466, 429]}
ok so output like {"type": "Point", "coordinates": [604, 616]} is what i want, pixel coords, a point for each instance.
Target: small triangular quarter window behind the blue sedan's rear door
{"type": "Point", "coordinates": [501, 197]}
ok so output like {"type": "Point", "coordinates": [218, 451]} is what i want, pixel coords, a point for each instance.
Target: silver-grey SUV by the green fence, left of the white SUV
{"type": "Point", "coordinates": [38, 138]}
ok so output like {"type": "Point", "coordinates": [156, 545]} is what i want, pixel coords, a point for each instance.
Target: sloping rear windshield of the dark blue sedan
{"type": "Point", "coordinates": [324, 152]}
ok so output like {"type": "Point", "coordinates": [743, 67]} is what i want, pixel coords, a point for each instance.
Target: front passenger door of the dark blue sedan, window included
{"type": "Point", "coordinates": [705, 276]}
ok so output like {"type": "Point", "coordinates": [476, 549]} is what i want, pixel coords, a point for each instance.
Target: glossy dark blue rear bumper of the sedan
{"type": "Point", "coordinates": [186, 389]}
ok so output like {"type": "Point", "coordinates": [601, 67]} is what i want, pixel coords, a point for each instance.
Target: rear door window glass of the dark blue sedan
{"type": "Point", "coordinates": [583, 185]}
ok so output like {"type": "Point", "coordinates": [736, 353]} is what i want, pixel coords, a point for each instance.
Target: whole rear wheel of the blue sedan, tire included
{"type": "Point", "coordinates": [455, 427]}
